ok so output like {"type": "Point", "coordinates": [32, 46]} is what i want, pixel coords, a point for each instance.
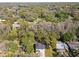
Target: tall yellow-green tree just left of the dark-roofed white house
{"type": "Point", "coordinates": [28, 41]}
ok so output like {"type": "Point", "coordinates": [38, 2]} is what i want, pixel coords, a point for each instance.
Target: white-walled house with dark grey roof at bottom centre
{"type": "Point", "coordinates": [40, 49]}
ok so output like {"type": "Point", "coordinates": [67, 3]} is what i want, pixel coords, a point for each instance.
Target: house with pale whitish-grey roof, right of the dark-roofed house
{"type": "Point", "coordinates": [60, 46]}
